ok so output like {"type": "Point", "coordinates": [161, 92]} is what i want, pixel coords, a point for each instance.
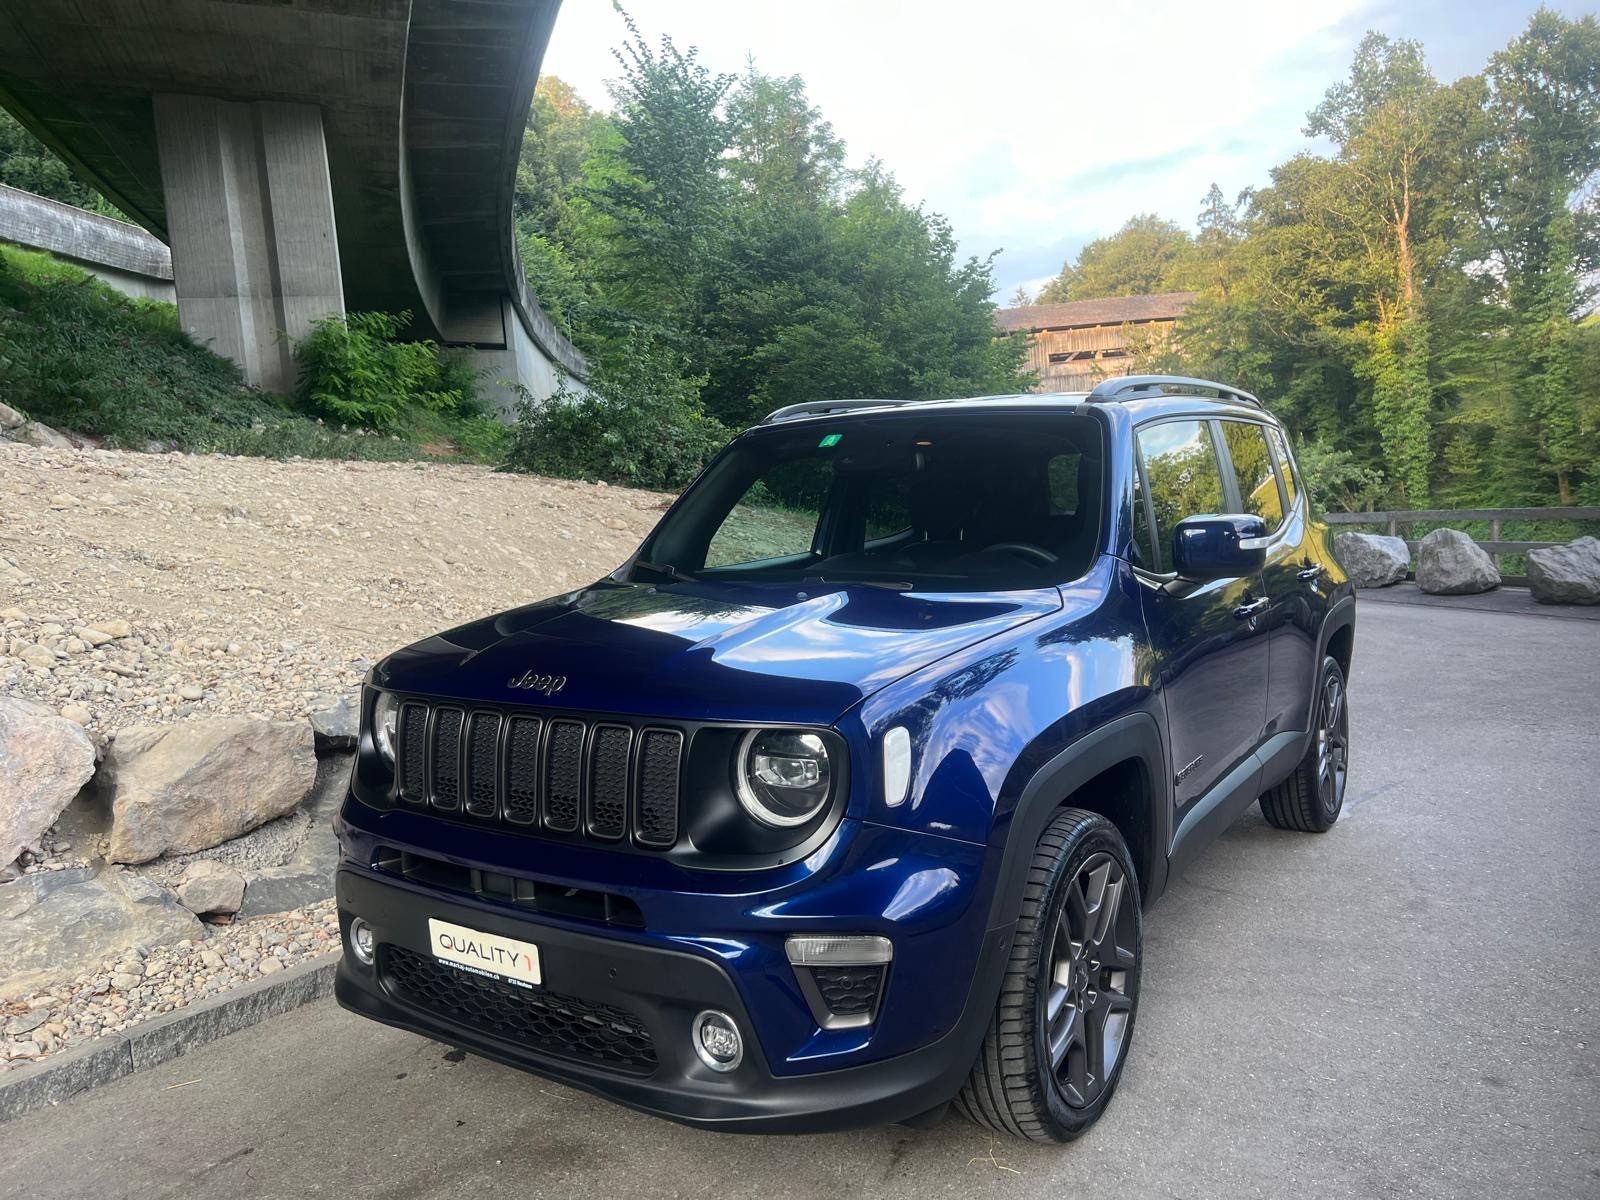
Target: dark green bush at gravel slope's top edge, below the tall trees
{"type": "Point", "coordinates": [639, 423]}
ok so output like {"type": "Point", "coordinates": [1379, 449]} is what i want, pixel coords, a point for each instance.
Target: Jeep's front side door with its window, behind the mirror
{"type": "Point", "coordinates": [1209, 642]}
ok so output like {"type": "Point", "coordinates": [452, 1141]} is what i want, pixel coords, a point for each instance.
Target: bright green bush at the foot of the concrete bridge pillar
{"type": "Point", "coordinates": [354, 369]}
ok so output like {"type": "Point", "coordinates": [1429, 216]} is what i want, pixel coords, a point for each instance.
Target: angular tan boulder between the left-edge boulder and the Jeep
{"type": "Point", "coordinates": [185, 788]}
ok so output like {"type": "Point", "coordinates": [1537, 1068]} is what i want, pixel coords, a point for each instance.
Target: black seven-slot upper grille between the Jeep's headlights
{"type": "Point", "coordinates": [607, 782]}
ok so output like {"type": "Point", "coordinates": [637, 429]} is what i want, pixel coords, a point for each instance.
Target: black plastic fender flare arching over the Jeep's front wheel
{"type": "Point", "coordinates": [1134, 737]}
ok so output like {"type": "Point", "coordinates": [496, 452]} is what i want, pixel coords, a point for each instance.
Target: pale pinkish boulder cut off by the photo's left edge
{"type": "Point", "coordinates": [44, 762]}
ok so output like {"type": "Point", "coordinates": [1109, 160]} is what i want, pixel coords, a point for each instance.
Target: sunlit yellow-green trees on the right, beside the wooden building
{"type": "Point", "coordinates": [1415, 303]}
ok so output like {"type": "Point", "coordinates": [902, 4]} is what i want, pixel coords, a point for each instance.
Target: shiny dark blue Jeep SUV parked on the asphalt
{"type": "Point", "coordinates": [846, 796]}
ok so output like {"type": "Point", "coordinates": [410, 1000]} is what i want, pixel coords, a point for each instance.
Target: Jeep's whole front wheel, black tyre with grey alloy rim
{"type": "Point", "coordinates": [1018, 1086]}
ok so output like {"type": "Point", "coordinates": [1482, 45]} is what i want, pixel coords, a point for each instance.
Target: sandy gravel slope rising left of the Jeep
{"type": "Point", "coordinates": [252, 586]}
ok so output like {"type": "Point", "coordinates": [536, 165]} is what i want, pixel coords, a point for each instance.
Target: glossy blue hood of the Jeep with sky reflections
{"type": "Point", "coordinates": [706, 652]}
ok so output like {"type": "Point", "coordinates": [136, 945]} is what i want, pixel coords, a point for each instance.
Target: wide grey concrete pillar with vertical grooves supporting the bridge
{"type": "Point", "coordinates": [250, 223]}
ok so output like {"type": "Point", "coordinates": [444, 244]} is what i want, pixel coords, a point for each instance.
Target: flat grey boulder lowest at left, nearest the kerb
{"type": "Point", "coordinates": [57, 926]}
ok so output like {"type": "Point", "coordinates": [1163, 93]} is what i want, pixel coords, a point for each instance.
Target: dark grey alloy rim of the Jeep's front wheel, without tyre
{"type": "Point", "coordinates": [1087, 994]}
